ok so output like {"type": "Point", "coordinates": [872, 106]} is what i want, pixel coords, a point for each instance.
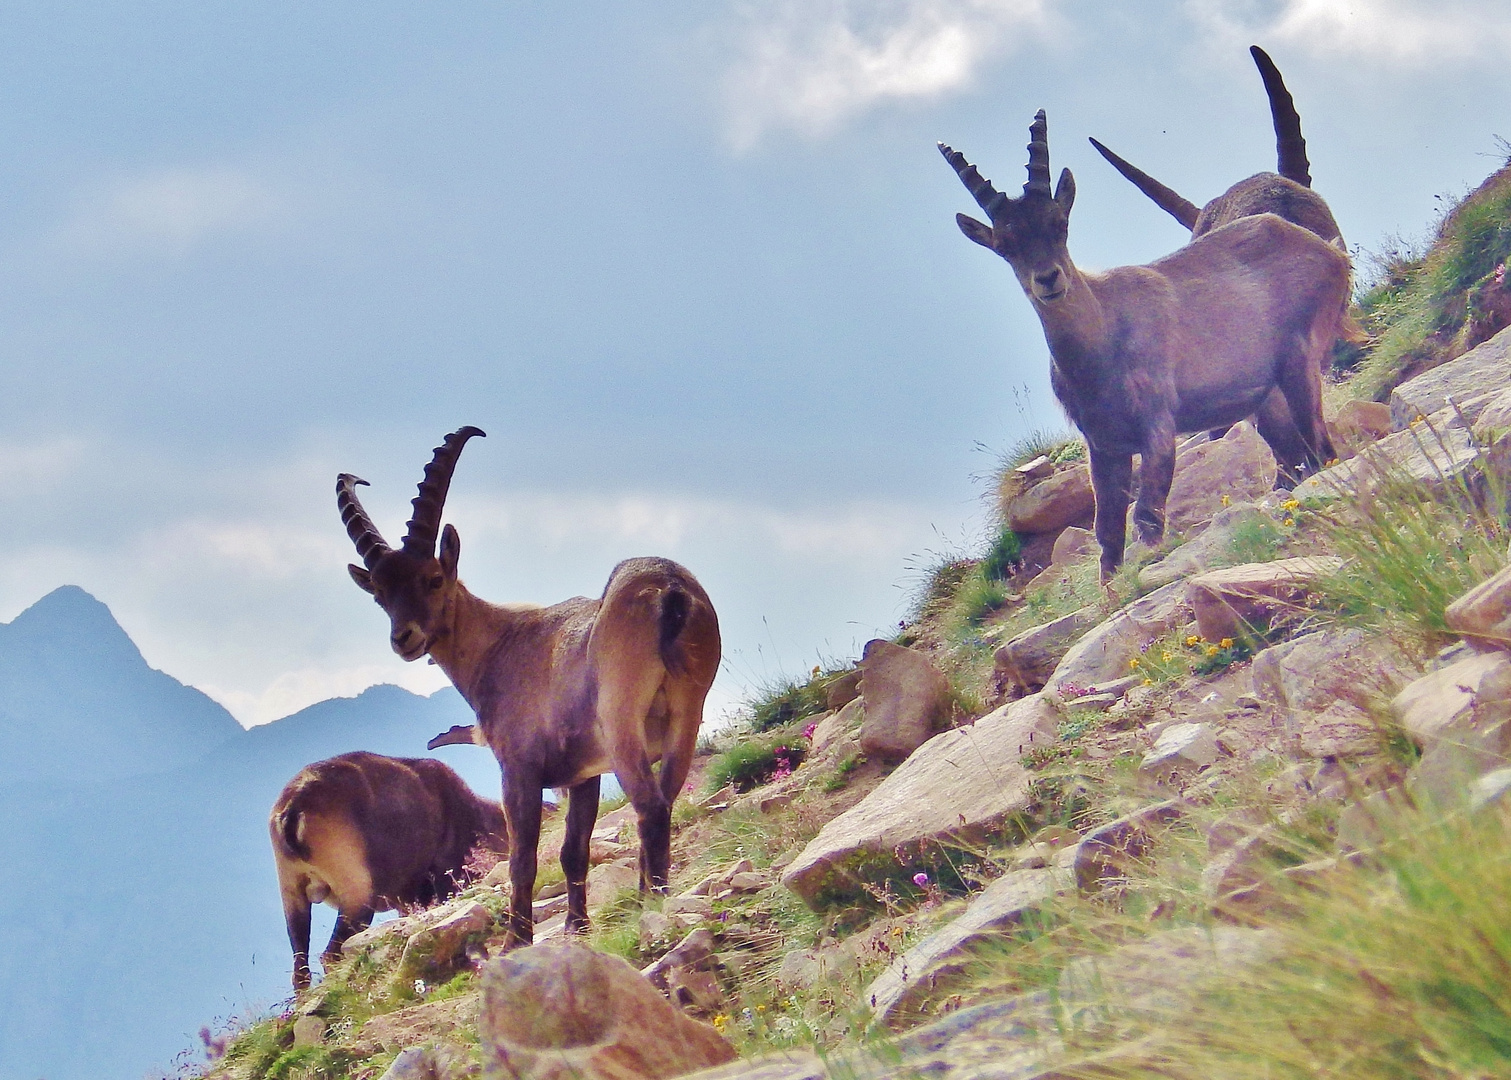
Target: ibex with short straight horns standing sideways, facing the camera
{"type": "Point", "coordinates": [1194, 341]}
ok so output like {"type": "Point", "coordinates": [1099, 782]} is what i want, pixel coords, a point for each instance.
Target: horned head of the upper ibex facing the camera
{"type": "Point", "coordinates": [1030, 232]}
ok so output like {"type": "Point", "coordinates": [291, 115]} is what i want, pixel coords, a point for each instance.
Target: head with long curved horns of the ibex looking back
{"type": "Point", "coordinates": [412, 584]}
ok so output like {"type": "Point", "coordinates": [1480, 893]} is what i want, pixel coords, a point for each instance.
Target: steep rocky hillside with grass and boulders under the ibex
{"type": "Point", "coordinates": [1244, 812]}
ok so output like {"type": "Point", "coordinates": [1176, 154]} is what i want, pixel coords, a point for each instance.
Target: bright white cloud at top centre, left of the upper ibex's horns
{"type": "Point", "coordinates": [812, 64]}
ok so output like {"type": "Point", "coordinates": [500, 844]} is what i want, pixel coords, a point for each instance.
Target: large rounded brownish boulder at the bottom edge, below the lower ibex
{"type": "Point", "coordinates": [567, 1013]}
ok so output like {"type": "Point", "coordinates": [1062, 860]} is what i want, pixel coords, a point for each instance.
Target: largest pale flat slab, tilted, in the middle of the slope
{"type": "Point", "coordinates": [957, 786]}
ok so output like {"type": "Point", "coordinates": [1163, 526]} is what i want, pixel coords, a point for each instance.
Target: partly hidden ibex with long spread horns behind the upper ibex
{"type": "Point", "coordinates": [1285, 193]}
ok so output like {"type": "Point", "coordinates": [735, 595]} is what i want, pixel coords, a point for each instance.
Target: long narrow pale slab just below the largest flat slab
{"type": "Point", "coordinates": [947, 952]}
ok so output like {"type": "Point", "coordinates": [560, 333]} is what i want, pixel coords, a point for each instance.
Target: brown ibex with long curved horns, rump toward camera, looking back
{"type": "Point", "coordinates": [563, 694]}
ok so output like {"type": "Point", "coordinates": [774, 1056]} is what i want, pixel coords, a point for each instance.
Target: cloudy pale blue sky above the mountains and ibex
{"type": "Point", "coordinates": [693, 267]}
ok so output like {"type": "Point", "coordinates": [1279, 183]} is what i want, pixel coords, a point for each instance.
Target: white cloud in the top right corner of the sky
{"type": "Point", "coordinates": [1414, 32]}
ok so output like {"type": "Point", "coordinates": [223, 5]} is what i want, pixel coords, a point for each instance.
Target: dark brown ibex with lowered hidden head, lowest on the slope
{"type": "Point", "coordinates": [369, 833]}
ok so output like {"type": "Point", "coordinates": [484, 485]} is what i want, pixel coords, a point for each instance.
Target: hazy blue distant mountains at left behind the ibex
{"type": "Point", "coordinates": [137, 884]}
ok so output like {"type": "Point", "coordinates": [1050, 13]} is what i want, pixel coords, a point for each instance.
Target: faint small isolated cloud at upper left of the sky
{"type": "Point", "coordinates": [170, 212]}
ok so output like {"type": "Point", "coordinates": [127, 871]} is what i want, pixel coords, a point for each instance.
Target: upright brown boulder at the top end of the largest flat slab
{"type": "Point", "coordinates": [906, 700]}
